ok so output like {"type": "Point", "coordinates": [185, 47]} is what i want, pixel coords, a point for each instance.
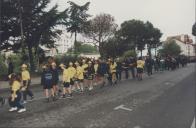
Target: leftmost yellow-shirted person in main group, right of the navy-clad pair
{"type": "Point", "coordinates": [66, 81]}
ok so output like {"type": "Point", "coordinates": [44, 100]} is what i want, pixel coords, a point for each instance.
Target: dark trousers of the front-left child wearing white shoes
{"type": "Point", "coordinates": [16, 102]}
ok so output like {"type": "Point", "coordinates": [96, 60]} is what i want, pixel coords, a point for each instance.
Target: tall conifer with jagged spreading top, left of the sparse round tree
{"type": "Point", "coordinates": [77, 18]}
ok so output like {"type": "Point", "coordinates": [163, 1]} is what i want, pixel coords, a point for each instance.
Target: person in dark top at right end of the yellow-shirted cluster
{"type": "Point", "coordinates": [90, 75]}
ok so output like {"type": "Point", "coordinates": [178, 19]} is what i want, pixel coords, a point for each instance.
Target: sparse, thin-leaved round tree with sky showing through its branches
{"type": "Point", "coordinates": [99, 29]}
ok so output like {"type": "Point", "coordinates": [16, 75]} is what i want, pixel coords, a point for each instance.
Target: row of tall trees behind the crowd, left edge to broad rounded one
{"type": "Point", "coordinates": [27, 24]}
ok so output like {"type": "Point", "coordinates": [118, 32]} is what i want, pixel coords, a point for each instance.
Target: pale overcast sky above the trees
{"type": "Point", "coordinates": [172, 17]}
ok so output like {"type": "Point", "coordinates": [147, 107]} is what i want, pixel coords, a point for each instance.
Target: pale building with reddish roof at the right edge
{"type": "Point", "coordinates": [186, 44]}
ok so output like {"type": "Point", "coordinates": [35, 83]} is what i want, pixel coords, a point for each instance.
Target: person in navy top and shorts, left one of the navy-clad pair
{"type": "Point", "coordinates": [46, 81]}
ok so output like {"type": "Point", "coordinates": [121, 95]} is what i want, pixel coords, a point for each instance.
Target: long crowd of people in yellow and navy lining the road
{"type": "Point", "coordinates": [84, 74]}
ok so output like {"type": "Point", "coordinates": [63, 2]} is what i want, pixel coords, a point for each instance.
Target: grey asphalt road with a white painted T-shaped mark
{"type": "Point", "coordinates": [164, 100]}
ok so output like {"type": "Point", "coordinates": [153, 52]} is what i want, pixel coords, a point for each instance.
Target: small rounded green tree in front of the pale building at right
{"type": "Point", "coordinates": [170, 48]}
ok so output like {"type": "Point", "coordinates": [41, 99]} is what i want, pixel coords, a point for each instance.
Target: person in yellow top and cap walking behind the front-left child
{"type": "Point", "coordinates": [26, 80]}
